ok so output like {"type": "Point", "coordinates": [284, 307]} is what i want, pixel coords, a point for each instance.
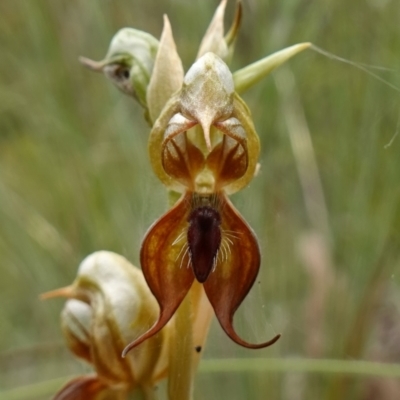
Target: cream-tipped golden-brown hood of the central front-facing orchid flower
{"type": "Point", "coordinates": [204, 140]}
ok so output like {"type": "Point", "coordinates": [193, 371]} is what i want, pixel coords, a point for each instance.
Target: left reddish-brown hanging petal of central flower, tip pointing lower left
{"type": "Point", "coordinates": [165, 264]}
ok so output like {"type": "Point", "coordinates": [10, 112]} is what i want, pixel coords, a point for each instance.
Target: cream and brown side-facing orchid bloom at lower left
{"type": "Point", "coordinates": [109, 306]}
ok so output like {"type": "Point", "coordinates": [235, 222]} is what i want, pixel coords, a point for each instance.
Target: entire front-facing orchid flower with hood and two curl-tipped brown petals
{"type": "Point", "coordinates": [209, 148]}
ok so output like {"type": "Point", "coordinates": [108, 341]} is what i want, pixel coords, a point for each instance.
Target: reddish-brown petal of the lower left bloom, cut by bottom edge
{"type": "Point", "coordinates": [82, 388]}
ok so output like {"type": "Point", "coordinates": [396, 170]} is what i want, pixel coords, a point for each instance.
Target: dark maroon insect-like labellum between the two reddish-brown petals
{"type": "Point", "coordinates": [204, 240]}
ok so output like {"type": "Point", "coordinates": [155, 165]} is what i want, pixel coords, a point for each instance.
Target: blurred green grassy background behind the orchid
{"type": "Point", "coordinates": [74, 178]}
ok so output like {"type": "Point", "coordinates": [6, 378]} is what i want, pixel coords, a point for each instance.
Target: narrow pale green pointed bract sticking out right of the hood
{"type": "Point", "coordinates": [248, 76]}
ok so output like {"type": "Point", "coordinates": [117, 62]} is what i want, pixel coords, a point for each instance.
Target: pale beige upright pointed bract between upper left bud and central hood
{"type": "Point", "coordinates": [167, 76]}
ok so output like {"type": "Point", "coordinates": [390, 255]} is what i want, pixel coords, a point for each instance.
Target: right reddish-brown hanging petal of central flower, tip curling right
{"type": "Point", "coordinates": [235, 272]}
